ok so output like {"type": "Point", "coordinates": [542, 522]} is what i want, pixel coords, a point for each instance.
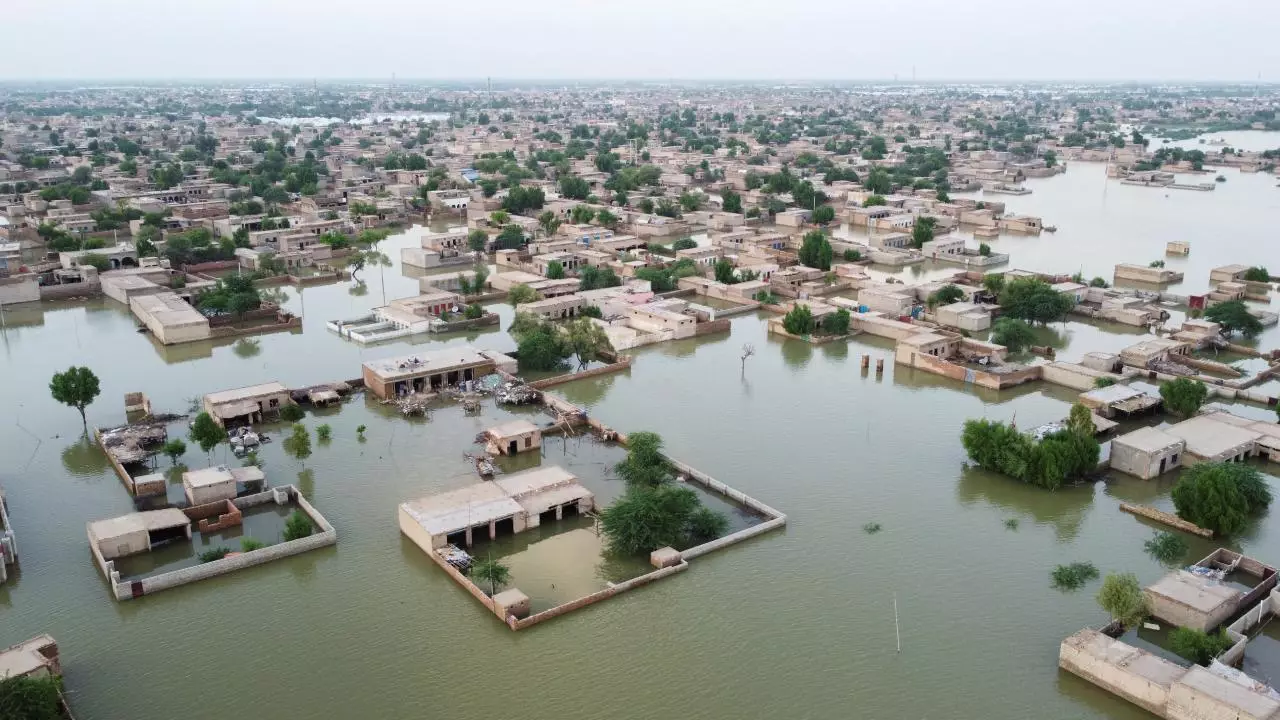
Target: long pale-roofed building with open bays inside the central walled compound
{"type": "Point", "coordinates": [510, 504]}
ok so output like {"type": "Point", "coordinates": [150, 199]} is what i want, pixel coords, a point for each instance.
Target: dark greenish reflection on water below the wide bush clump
{"type": "Point", "coordinates": [1064, 509]}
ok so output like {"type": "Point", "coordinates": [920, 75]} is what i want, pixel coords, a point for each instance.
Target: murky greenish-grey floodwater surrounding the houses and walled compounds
{"type": "Point", "coordinates": [798, 623]}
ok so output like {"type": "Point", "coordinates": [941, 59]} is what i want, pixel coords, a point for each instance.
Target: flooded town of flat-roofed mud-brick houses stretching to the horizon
{"type": "Point", "coordinates": [409, 368]}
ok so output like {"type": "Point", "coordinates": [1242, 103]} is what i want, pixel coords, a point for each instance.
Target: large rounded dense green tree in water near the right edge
{"type": "Point", "coordinates": [1220, 496]}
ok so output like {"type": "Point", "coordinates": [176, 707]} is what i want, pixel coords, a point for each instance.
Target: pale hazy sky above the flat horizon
{"type": "Point", "coordinates": [1112, 40]}
